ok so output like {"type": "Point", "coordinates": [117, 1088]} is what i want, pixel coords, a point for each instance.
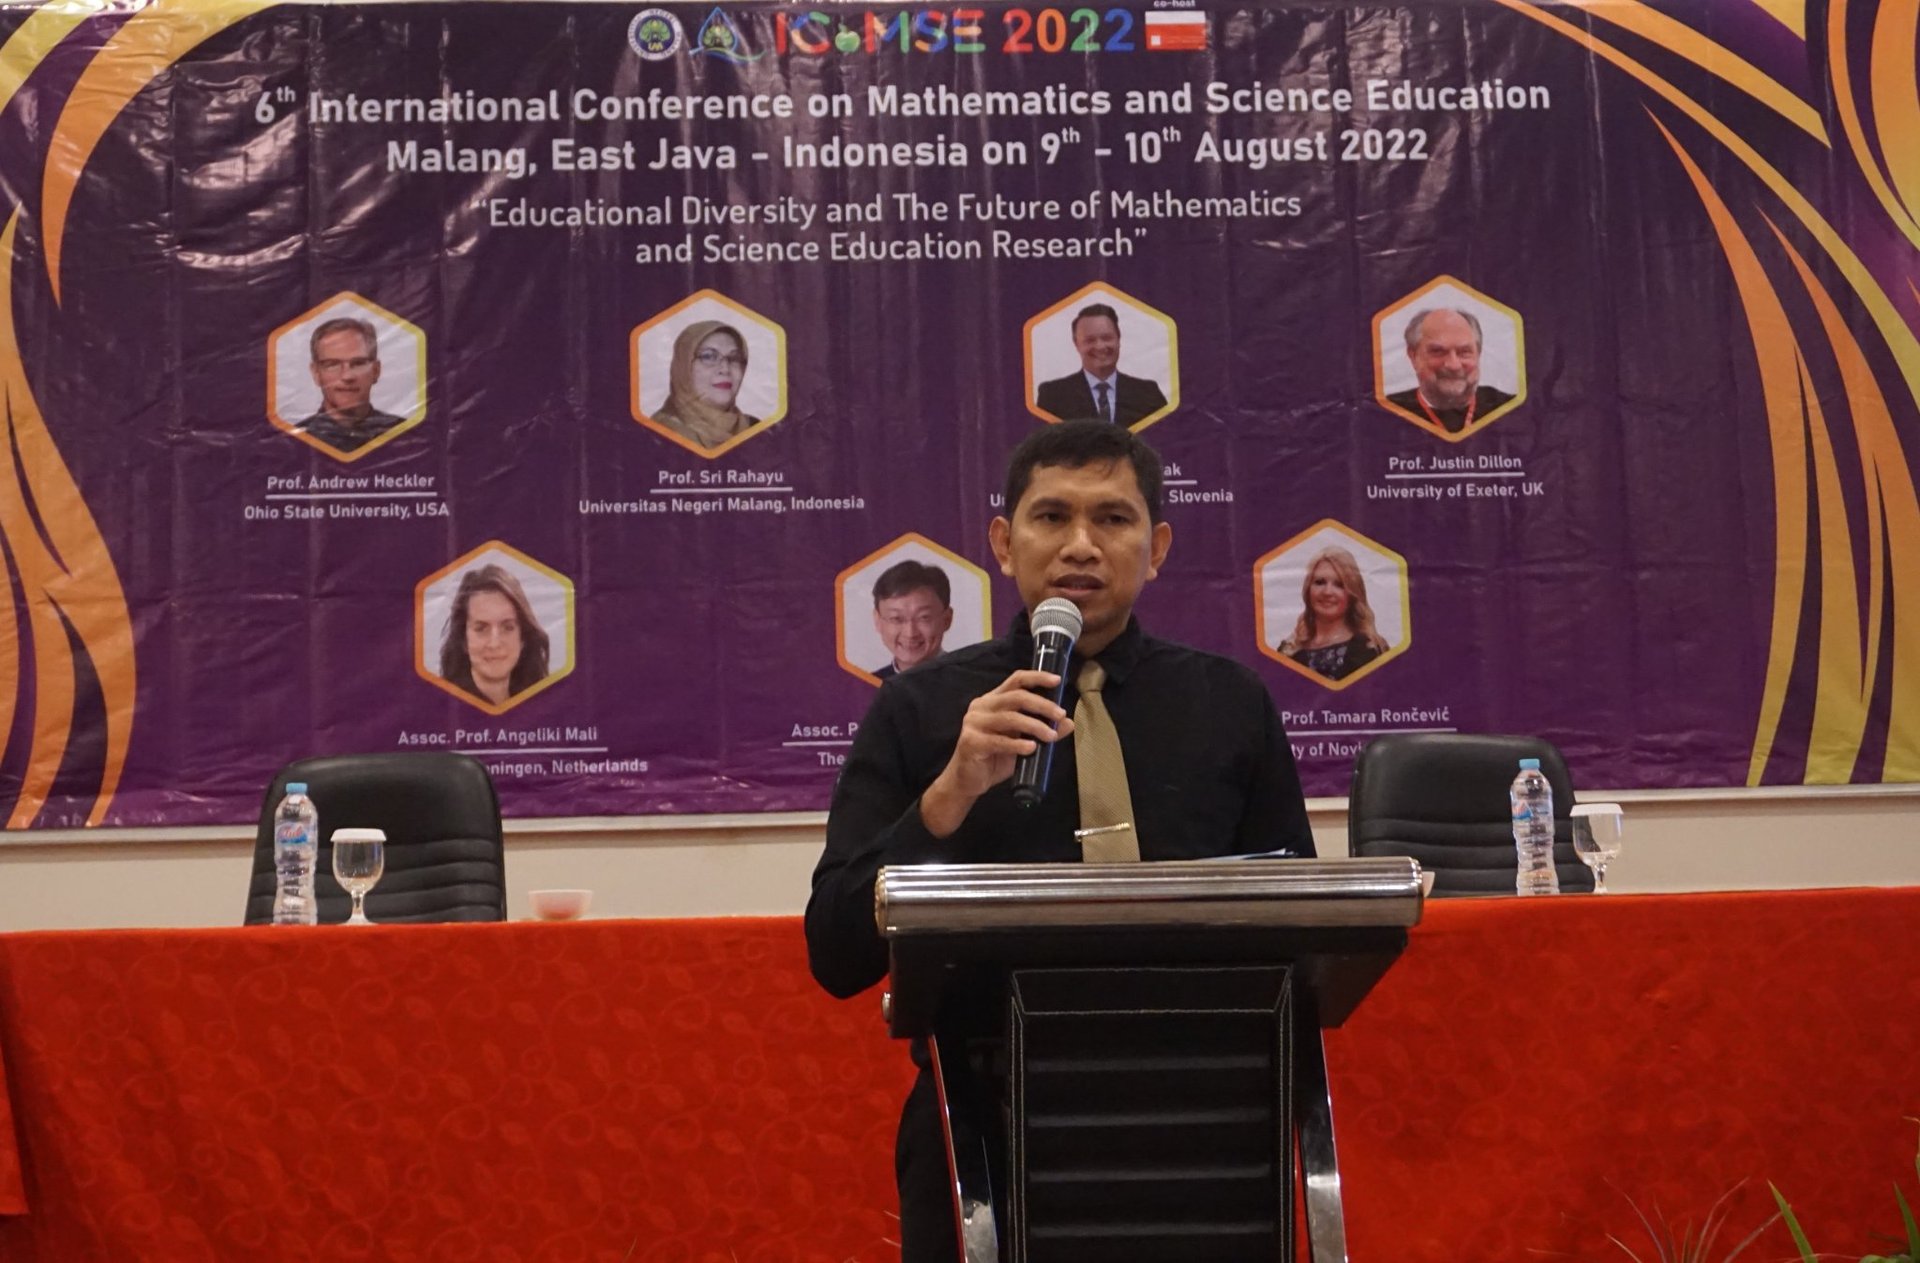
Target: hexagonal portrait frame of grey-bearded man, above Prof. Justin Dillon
{"type": "Point", "coordinates": [1502, 364]}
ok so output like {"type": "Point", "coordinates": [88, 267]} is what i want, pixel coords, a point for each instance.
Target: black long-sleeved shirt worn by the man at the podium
{"type": "Point", "coordinates": [1209, 769]}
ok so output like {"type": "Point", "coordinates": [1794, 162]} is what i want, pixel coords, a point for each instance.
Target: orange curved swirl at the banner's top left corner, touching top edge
{"type": "Point", "coordinates": [145, 47]}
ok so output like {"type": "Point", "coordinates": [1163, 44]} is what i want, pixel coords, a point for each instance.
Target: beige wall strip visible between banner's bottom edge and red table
{"type": "Point", "coordinates": [759, 865]}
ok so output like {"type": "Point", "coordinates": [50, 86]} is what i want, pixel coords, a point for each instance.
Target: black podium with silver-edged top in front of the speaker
{"type": "Point", "coordinates": [1155, 1055]}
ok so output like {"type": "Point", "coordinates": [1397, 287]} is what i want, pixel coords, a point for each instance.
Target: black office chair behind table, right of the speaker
{"type": "Point", "coordinates": [1443, 799]}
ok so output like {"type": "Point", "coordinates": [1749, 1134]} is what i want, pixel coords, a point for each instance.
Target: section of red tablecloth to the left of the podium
{"type": "Point", "coordinates": [663, 1091]}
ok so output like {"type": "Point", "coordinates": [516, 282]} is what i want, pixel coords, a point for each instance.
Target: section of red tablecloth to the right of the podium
{"type": "Point", "coordinates": [1535, 1068]}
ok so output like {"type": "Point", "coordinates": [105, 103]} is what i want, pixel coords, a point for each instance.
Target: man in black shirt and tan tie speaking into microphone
{"type": "Point", "coordinates": [1186, 744]}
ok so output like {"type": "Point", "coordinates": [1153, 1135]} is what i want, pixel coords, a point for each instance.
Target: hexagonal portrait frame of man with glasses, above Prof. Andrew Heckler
{"type": "Point", "coordinates": [295, 396]}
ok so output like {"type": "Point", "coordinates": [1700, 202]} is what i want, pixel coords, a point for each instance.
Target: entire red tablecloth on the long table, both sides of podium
{"type": "Point", "coordinates": [679, 1091]}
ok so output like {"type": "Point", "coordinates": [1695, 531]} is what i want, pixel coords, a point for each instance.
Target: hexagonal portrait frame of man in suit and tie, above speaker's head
{"type": "Point", "coordinates": [1149, 385]}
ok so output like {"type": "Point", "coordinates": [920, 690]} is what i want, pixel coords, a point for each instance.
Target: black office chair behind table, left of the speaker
{"type": "Point", "coordinates": [444, 853]}
